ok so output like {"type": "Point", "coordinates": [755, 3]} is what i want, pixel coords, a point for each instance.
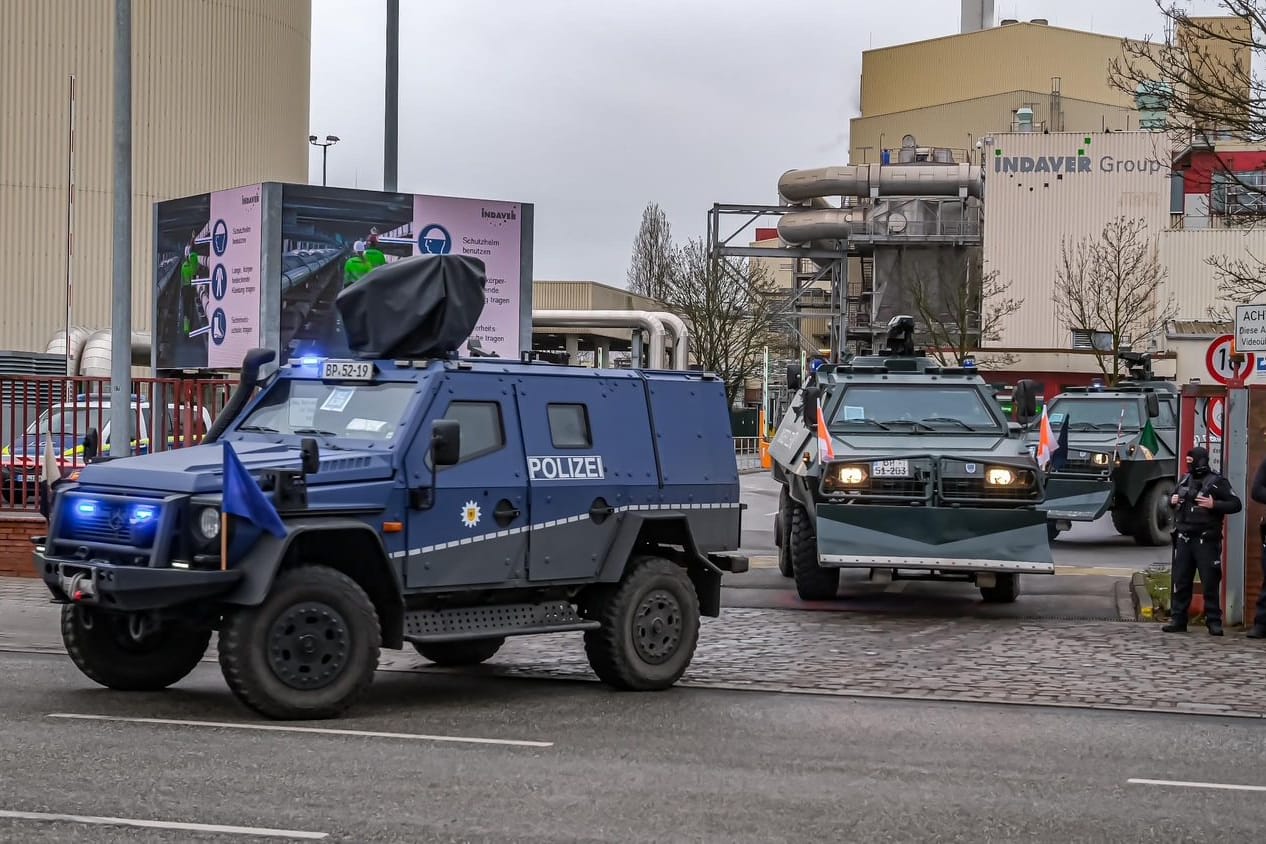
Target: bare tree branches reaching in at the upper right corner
{"type": "Point", "coordinates": [1202, 79]}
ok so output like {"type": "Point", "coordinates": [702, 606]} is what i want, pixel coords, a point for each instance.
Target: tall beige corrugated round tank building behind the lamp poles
{"type": "Point", "coordinates": [198, 71]}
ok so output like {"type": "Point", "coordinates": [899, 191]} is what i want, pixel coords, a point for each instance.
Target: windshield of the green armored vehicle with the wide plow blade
{"type": "Point", "coordinates": [940, 408]}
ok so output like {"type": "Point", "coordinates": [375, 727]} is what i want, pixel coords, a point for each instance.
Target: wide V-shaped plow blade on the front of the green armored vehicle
{"type": "Point", "coordinates": [934, 538]}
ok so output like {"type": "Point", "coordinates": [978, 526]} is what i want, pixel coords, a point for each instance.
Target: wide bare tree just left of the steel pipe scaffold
{"type": "Point", "coordinates": [731, 306]}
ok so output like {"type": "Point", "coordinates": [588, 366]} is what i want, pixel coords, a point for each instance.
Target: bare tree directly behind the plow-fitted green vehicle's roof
{"type": "Point", "coordinates": [962, 308]}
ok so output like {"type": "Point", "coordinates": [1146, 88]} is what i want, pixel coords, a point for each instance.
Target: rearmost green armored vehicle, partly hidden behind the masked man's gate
{"type": "Point", "coordinates": [1121, 455]}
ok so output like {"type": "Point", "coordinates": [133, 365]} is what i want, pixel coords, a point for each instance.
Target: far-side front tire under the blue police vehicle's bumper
{"type": "Point", "coordinates": [107, 656]}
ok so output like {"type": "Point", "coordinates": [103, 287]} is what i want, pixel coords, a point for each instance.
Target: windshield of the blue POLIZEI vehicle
{"type": "Point", "coordinates": [315, 409]}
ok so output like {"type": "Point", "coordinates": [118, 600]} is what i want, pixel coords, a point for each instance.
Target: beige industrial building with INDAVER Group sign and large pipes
{"type": "Point", "coordinates": [1026, 145]}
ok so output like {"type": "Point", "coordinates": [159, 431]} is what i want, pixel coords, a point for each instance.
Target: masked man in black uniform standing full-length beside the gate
{"type": "Point", "coordinates": [1203, 500]}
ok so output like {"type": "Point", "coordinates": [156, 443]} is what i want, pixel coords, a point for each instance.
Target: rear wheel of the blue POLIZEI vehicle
{"type": "Point", "coordinates": [655, 586]}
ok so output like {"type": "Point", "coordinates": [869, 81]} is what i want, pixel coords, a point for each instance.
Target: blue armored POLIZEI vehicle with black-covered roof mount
{"type": "Point", "coordinates": [404, 495]}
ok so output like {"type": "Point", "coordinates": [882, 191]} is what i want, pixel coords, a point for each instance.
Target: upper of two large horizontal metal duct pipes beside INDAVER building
{"type": "Point", "coordinates": [894, 180]}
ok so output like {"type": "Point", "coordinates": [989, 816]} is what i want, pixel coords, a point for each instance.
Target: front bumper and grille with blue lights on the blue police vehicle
{"type": "Point", "coordinates": [116, 552]}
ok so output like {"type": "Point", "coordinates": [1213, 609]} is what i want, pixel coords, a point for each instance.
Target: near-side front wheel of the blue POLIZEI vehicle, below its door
{"type": "Point", "coordinates": [253, 669]}
